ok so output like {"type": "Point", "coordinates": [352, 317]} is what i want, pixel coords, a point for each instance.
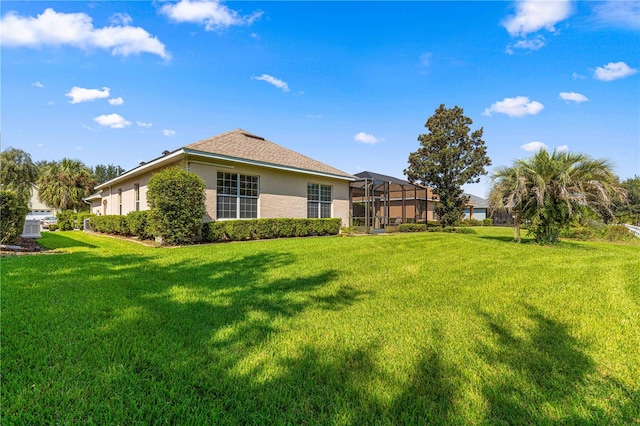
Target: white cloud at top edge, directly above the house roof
{"type": "Point", "coordinates": [212, 14]}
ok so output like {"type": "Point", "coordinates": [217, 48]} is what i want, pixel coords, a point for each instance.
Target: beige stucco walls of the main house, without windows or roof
{"type": "Point", "coordinates": [281, 193]}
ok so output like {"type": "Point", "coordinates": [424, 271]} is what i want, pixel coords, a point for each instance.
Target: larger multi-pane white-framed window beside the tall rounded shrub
{"type": "Point", "coordinates": [237, 196]}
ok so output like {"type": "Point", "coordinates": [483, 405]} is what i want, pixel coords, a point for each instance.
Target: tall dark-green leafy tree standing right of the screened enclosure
{"type": "Point", "coordinates": [450, 155]}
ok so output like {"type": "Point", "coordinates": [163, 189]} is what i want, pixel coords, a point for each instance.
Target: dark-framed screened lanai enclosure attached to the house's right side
{"type": "Point", "coordinates": [379, 202]}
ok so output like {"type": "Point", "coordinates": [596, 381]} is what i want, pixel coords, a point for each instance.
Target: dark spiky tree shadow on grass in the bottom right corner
{"type": "Point", "coordinates": [546, 371]}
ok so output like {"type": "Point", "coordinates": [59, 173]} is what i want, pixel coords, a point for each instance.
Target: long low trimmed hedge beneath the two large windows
{"type": "Point", "coordinates": [259, 229]}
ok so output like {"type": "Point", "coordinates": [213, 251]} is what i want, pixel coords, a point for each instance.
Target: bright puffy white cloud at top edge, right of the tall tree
{"type": "Point", "coordinates": [533, 15]}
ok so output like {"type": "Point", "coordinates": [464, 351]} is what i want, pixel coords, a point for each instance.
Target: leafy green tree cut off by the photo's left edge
{"type": "Point", "coordinates": [18, 173]}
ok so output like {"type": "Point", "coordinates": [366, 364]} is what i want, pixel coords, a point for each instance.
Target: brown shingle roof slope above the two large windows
{"type": "Point", "coordinates": [241, 144]}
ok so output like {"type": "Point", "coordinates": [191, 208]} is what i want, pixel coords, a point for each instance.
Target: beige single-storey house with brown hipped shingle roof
{"type": "Point", "coordinates": [246, 177]}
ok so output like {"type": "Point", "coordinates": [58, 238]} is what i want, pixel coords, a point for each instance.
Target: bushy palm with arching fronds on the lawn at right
{"type": "Point", "coordinates": [549, 190]}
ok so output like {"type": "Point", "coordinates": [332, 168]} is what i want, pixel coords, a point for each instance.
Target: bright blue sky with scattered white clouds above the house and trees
{"type": "Point", "coordinates": [348, 83]}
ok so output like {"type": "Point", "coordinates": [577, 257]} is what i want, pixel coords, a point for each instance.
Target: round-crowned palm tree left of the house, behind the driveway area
{"type": "Point", "coordinates": [64, 184]}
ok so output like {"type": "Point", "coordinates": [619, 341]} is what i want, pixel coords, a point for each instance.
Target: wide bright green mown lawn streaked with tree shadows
{"type": "Point", "coordinates": [398, 329]}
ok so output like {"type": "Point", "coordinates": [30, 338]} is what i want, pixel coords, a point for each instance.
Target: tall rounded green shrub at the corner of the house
{"type": "Point", "coordinates": [176, 198]}
